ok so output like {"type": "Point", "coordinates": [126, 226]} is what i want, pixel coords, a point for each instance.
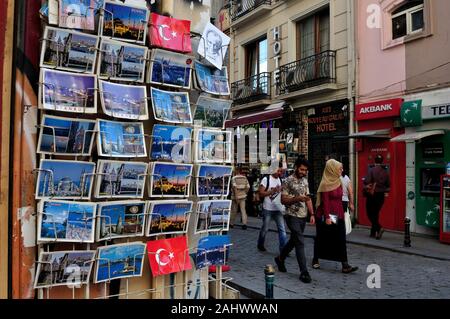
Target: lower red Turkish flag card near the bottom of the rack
{"type": "Point", "coordinates": [167, 256]}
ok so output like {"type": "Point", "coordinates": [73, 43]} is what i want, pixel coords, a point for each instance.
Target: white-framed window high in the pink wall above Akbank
{"type": "Point", "coordinates": [407, 19]}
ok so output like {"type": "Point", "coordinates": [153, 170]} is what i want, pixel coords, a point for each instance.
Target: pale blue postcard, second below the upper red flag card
{"type": "Point", "coordinates": [171, 107]}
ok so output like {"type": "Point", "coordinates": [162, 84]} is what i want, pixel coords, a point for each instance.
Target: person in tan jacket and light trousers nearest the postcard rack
{"type": "Point", "coordinates": [239, 189]}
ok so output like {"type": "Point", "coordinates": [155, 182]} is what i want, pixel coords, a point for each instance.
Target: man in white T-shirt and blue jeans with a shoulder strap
{"type": "Point", "coordinates": [269, 189]}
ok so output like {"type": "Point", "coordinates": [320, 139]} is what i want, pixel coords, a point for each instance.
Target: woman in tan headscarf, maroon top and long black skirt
{"type": "Point", "coordinates": [330, 241]}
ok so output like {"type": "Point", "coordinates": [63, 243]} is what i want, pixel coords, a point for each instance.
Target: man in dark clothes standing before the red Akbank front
{"type": "Point", "coordinates": [376, 188]}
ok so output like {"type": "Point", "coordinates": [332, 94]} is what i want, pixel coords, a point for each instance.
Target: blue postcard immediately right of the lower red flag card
{"type": "Point", "coordinates": [212, 250]}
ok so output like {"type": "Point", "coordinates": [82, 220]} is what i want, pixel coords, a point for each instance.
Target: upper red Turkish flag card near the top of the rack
{"type": "Point", "coordinates": [169, 33]}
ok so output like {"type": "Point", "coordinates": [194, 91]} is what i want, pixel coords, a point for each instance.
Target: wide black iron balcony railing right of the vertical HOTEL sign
{"type": "Point", "coordinates": [311, 71]}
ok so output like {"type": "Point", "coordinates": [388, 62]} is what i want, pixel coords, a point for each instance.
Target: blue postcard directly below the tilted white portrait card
{"type": "Point", "coordinates": [211, 80]}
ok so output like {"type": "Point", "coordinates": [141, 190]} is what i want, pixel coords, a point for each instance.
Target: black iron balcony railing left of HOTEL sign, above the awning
{"type": "Point", "coordinates": [256, 87]}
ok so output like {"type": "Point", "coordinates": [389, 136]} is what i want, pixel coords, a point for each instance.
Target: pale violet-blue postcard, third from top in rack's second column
{"type": "Point", "coordinates": [124, 101]}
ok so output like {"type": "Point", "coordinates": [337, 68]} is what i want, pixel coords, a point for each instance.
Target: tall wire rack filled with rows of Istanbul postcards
{"type": "Point", "coordinates": [125, 191]}
